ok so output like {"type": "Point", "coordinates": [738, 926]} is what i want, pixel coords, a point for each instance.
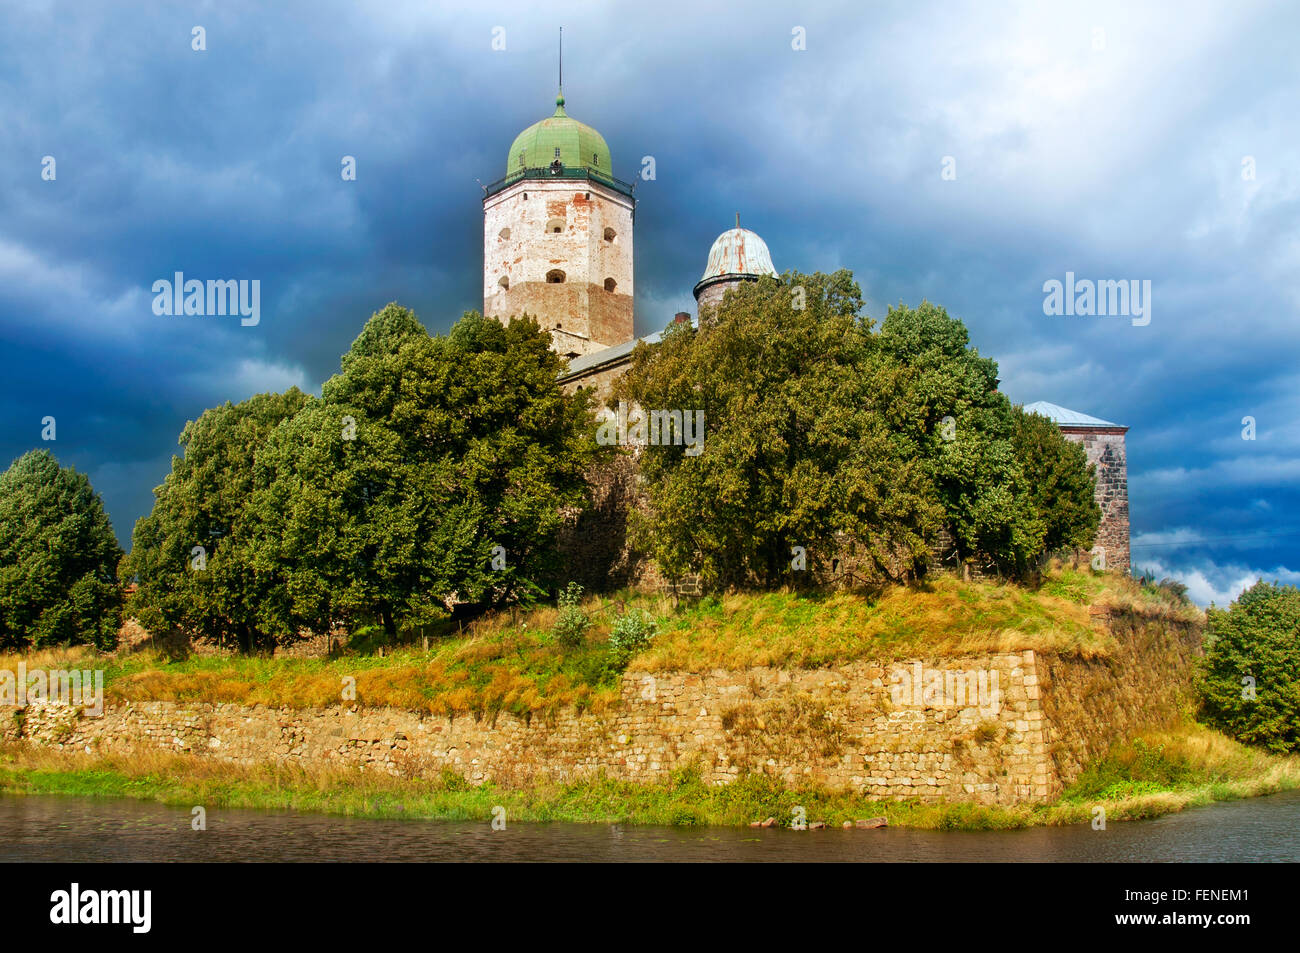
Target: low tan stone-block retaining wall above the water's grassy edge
{"type": "Point", "coordinates": [843, 727]}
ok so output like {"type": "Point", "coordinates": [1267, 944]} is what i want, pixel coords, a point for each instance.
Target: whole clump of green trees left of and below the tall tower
{"type": "Point", "coordinates": [432, 473]}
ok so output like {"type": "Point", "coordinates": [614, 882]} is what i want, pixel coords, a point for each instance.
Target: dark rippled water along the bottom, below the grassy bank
{"type": "Point", "coordinates": [77, 830]}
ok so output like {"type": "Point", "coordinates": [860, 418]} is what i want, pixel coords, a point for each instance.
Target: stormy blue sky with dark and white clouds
{"type": "Point", "coordinates": [1158, 145]}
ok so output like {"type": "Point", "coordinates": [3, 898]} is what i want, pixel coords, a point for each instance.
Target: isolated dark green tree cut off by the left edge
{"type": "Point", "coordinates": [58, 558]}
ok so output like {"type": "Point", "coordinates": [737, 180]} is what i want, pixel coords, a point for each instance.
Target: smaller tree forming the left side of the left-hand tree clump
{"type": "Point", "coordinates": [190, 556]}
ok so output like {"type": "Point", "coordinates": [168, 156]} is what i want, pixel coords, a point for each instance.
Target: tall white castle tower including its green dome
{"type": "Point", "coordinates": [558, 237]}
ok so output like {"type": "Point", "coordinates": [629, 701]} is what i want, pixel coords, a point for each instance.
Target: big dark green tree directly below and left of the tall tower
{"type": "Point", "coordinates": [430, 476]}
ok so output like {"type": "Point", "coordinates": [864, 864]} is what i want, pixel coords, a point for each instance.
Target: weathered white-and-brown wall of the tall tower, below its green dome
{"type": "Point", "coordinates": [580, 313]}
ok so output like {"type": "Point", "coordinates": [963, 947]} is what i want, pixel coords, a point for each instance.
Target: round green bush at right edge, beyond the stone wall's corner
{"type": "Point", "coordinates": [1258, 638]}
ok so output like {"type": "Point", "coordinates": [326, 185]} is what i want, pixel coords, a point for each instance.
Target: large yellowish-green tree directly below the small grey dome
{"type": "Point", "coordinates": [804, 443]}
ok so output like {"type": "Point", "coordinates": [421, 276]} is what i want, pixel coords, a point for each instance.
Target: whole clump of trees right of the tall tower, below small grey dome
{"type": "Point", "coordinates": [829, 435]}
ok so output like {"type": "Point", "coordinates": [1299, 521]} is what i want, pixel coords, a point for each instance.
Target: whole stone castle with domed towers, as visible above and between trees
{"type": "Point", "coordinates": [558, 246]}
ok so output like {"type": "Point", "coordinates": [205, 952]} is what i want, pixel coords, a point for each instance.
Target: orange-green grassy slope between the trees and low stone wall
{"type": "Point", "coordinates": [513, 661]}
